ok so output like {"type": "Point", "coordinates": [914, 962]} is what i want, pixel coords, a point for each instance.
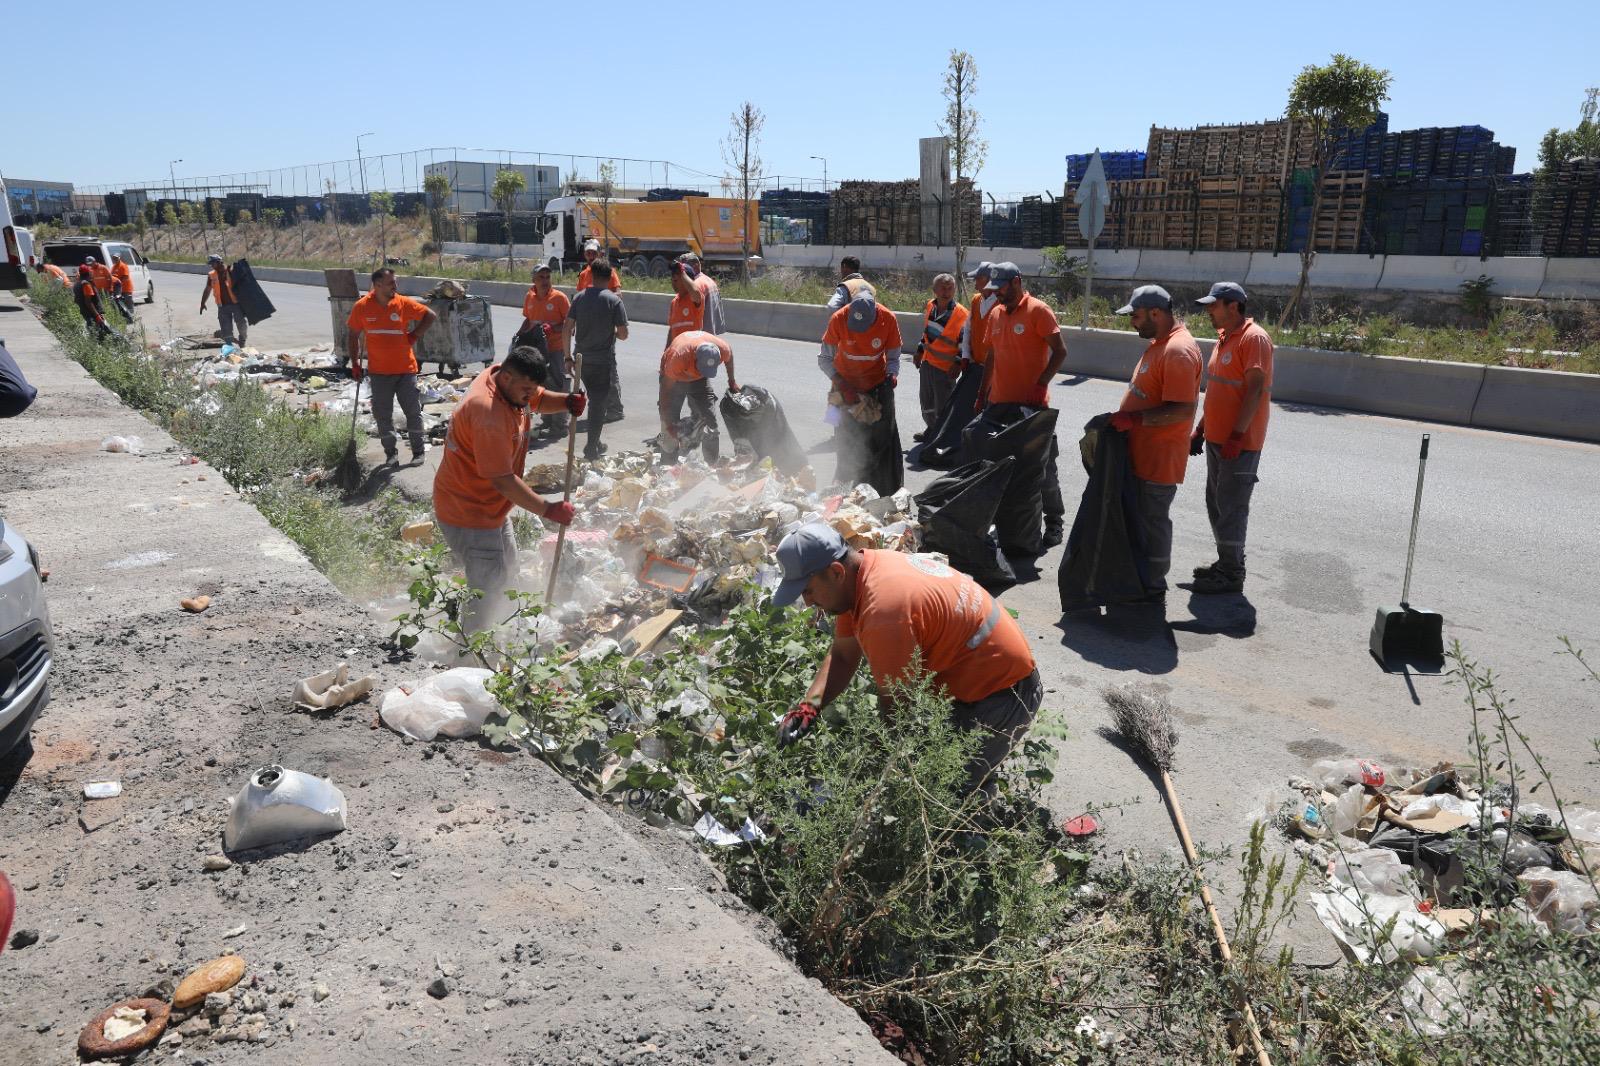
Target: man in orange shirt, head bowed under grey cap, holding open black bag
{"type": "Point", "coordinates": [862, 356]}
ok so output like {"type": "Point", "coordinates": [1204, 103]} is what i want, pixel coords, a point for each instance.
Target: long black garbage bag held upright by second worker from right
{"type": "Point", "coordinates": [1105, 563]}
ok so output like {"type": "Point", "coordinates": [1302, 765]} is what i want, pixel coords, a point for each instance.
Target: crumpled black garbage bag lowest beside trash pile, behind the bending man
{"type": "Point", "coordinates": [958, 516]}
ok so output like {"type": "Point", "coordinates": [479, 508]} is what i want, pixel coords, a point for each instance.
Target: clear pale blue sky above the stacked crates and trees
{"type": "Point", "coordinates": [255, 87]}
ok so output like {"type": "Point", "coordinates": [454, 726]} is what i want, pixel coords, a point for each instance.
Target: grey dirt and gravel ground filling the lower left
{"type": "Point", "coordinates": [478, 910]}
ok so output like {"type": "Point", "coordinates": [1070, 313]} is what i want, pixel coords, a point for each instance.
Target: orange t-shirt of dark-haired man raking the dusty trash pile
{"type": "Point", "coordinates": [487, 439]}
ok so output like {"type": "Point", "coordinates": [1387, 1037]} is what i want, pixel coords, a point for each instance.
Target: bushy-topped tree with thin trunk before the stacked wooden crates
{"type": "Point", "coordinates": [1324, 103]}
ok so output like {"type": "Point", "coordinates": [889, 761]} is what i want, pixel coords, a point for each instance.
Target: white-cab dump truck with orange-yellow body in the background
{"type": "Point", "coordinates": [646, 236]}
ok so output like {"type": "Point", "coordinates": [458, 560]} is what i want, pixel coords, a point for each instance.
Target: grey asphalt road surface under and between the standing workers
{"type": "Point", "coordinates": [1274, 679]}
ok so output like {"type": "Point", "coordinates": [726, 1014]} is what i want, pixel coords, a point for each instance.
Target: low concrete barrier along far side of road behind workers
{"type": "Point", "coordinates": [1548, 403]}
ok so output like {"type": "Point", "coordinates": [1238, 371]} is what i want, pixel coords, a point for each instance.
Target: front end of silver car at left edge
{"type": "Point", "coordinates": [26, 641]}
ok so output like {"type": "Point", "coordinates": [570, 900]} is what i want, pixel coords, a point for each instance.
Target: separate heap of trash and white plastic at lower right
{"type": "Point", "coordinates": [1404, 852]}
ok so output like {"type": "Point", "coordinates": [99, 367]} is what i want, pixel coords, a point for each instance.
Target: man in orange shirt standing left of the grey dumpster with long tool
{"type": "Point", "coordinates": [393, 326]}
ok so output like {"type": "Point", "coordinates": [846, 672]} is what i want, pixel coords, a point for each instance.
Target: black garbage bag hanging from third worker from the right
{"type": "Point", "coordinates": [1023, 433]}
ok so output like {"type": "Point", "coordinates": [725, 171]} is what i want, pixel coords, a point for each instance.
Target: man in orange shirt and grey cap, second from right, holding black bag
{"type": "Point", "coordinates": [1158, 412]}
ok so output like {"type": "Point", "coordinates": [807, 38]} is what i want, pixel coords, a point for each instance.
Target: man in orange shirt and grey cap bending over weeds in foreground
{"type": "Point", "coordinates": [894, 611]}
